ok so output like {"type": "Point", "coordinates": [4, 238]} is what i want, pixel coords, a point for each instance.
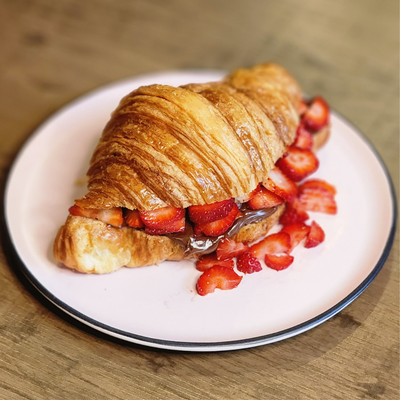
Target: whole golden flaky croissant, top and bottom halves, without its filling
{"type": "Point", "coordinates": [195, 144]}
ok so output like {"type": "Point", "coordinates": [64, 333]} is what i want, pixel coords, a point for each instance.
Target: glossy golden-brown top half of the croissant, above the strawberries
{"type": "Point", "coordinates": [194, 144]}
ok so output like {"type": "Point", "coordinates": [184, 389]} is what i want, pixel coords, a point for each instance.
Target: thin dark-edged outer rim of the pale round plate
{"type": "Point", "coordinates": [185, 345]}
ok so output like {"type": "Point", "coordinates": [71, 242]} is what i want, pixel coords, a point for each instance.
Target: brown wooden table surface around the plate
{"type": "Point", "coordinates": [54, 51]}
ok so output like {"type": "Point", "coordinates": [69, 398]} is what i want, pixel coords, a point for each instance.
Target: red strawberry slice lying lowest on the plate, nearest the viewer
{"type": "Point", "coordinates": [217, 278]}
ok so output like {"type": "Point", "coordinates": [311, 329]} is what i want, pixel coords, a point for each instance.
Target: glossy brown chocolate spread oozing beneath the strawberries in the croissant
{"type": "Point", "coordinates": [197, 245]}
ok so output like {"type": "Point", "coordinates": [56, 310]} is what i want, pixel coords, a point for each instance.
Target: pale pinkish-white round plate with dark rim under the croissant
{"type": "Point", "coordinates": [158, 306]}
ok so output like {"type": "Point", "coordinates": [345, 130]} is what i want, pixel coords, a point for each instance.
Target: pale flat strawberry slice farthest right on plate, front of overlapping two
{"type": "Point", "coordinates": [318, 200]}
